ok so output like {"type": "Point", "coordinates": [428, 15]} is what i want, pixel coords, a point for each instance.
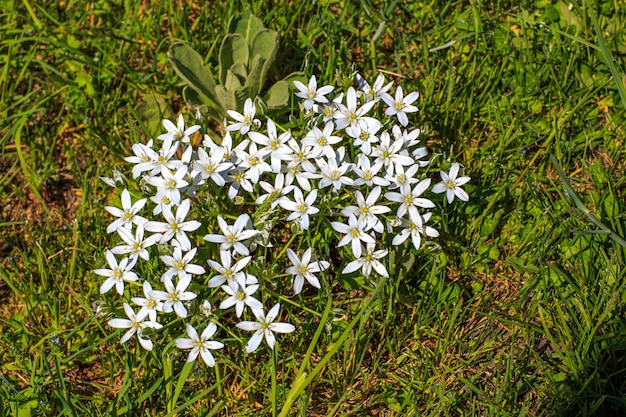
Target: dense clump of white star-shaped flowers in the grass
{"type": "Point", "coordinates": [348, 166]}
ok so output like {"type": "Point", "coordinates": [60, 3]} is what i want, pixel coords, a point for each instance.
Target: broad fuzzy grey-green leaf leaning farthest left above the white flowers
{"type": "Point", "coordinates": [190, 66]}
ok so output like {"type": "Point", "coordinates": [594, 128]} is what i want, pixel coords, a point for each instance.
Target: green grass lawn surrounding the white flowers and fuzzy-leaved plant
{"type": "Point", "coordinates": [520, 313]}
